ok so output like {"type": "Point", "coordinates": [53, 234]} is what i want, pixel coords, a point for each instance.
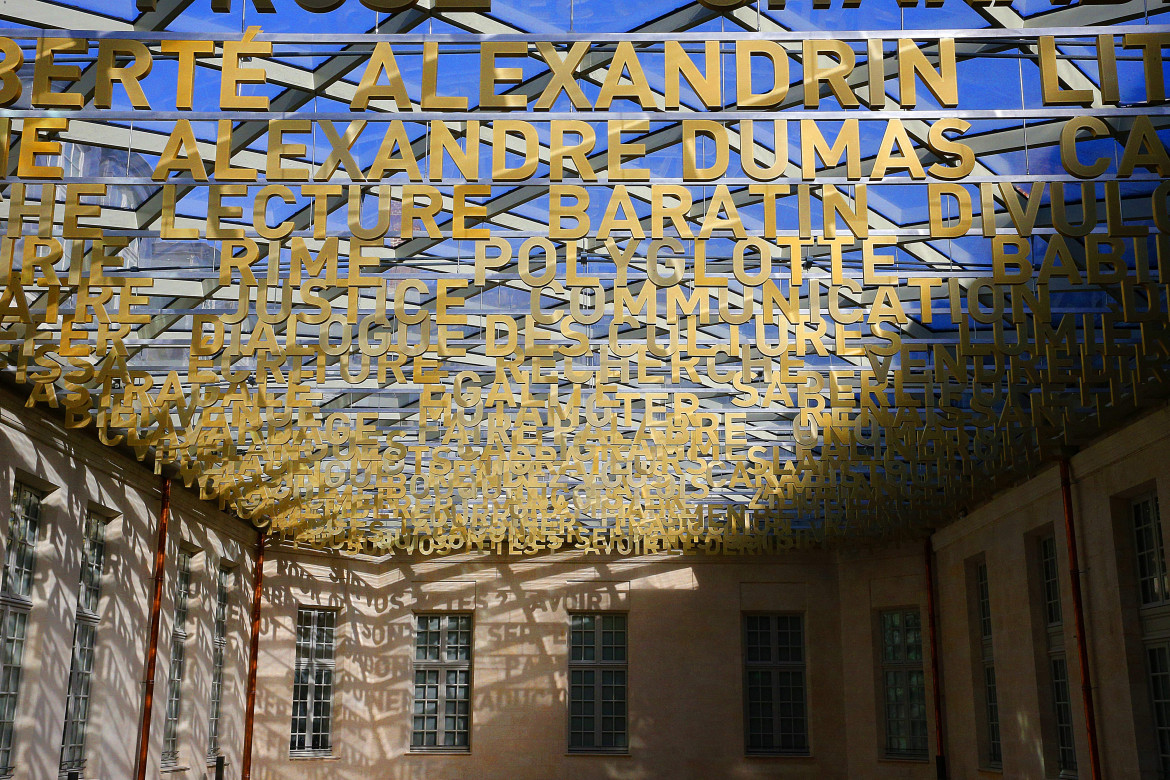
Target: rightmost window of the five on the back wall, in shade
{"type": "Point", "coordinates": [905, 685]}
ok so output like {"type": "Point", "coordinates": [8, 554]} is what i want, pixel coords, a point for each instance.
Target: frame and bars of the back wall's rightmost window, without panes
{"type": "Point", "coordinates": [904, 664]}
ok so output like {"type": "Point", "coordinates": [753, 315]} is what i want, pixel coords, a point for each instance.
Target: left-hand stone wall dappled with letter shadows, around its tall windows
{"type": "Point", "coordinates": [80, 475]}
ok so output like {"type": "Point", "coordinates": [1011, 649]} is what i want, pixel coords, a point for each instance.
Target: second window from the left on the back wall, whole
{"type": "Point", "coordinates": [443, 684]}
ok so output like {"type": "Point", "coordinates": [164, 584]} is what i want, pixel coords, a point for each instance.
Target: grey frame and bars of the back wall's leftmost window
{"type": "Point", "coordinates": [311, 660]}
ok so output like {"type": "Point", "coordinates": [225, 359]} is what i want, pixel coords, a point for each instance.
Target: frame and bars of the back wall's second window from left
{"type": "Point", "coordinates": [443, 666]}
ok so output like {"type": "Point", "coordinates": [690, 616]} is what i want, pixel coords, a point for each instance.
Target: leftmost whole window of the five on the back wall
{"type": "Point", "coordinates": [313, 682]}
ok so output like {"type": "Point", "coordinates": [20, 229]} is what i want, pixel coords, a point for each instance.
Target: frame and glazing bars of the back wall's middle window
{"type": "Point", "coordinates": [598, 666]}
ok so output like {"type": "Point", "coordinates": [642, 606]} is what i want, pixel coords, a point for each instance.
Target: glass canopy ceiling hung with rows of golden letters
{"type": "Point", "coordinates": [541, 277]}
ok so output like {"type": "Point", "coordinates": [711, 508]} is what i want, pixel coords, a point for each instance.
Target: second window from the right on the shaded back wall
{"type": "Point", "coordinates": [777, 719]}
